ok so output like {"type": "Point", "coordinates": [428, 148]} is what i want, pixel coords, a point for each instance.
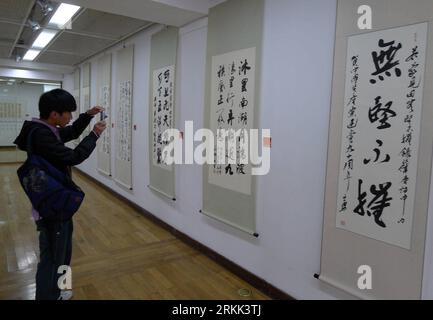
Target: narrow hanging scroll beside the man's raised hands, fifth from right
{"type": "Point", "coordinates": [104, 100]}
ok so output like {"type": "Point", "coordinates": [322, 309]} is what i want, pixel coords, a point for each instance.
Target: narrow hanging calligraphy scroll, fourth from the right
{"type": "Point", "coordinates": [123, 123]}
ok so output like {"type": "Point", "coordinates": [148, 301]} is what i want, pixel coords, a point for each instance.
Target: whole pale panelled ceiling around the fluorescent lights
{"type": "Point", "coordinates": [100, 24]}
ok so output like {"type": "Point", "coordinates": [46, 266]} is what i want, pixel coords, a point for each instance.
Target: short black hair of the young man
{"type": "Point", "coordinates": [57, 100]}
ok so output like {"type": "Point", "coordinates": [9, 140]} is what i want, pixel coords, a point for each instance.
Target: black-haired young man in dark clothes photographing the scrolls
{"type": "Point", "coordinates": [49, 134]}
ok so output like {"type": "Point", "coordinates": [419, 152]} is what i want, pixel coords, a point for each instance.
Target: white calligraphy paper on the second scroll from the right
{"type": "Point", "coordinates": [232, 107]}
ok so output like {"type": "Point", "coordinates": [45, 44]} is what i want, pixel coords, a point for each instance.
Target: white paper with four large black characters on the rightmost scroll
{"type": "Point", "coordinates": [381, 128]}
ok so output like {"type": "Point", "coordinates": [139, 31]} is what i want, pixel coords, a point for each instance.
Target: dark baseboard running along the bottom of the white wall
{"type": "Point", "coordinates": [245, 275]}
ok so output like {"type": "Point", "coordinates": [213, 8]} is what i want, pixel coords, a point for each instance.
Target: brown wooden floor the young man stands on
{"type": "Point", "coordinates": [117, 253]}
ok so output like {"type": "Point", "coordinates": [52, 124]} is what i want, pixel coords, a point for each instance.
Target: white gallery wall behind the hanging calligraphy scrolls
{"type": "Point", "coordinates": [295, 104]}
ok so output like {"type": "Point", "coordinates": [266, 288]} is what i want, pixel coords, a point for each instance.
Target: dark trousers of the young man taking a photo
{"type": "Point", "coordinates": [55, 245]}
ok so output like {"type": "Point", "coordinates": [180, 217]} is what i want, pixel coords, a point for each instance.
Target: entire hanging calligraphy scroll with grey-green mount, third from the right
{"type": "Point", "coordinates": [162, 109]}
